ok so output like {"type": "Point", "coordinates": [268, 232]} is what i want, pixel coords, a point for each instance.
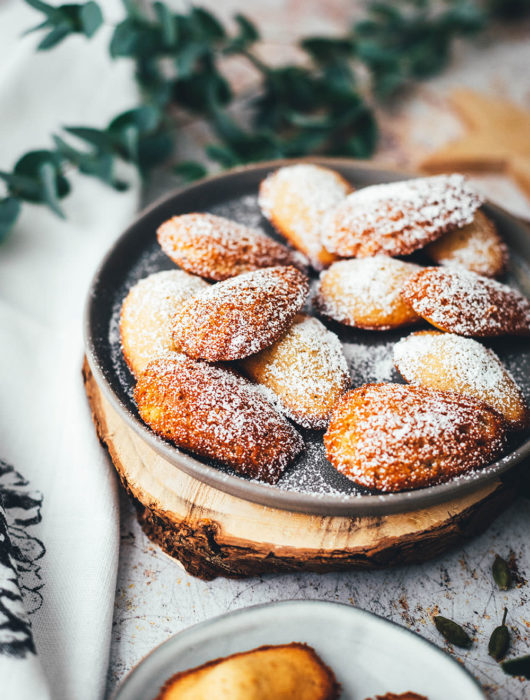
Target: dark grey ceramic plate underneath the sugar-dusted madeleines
{"type": "Point", "coordinates": [310, 485]}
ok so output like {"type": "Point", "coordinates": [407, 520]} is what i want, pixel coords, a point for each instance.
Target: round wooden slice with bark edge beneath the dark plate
{"type": "Point", "coordinates": [215, 534]}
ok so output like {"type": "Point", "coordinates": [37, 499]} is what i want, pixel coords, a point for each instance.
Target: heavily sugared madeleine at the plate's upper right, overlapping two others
{"type": "Point", "coordinates": [399, 217]}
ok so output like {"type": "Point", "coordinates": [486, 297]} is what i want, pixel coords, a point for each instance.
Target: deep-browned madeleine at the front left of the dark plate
{"type": "Point", "coordinates": [216, 413]}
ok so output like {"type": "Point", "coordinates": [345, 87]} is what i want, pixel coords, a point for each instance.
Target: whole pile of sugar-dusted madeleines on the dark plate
{"type": "Point", "coordinates": [228, 358]}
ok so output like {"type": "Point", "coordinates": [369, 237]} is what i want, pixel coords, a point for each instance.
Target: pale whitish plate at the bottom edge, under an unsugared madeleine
{"type": "Point", "coordinates": [368, 654]}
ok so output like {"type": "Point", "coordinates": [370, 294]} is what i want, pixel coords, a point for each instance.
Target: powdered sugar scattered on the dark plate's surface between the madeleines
{"type": "Point", "coordinates": [369, 358]}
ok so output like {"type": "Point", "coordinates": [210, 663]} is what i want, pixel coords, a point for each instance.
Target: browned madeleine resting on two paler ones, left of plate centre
{"type": "Point", "coordinates": [240, 316]}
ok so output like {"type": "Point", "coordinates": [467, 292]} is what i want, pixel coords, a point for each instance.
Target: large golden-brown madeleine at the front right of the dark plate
{"type": "Point", "coordinates": [394, 437]}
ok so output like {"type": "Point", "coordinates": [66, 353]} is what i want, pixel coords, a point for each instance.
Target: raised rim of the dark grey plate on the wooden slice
{"type": "Point", "coordinates": [253, 490]}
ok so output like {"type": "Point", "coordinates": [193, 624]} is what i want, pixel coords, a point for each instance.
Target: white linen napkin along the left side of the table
{"type": "Point", "coordinates": [66, 586]}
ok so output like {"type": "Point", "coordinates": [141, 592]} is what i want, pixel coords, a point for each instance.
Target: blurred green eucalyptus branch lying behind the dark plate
{"type": "Point", "coordinates": [320, 106]}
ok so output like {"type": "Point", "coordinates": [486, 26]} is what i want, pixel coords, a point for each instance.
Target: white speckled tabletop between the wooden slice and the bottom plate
{"type": "Point", "coordinates": [156, 598]}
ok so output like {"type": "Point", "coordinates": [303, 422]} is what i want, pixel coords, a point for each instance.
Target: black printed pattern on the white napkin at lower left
{"type": "Point", "coordinates": [20, 552]}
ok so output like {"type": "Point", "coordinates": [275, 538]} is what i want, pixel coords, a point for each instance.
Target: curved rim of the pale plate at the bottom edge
{"type": "Point", "coordinates": [294, 602]}
